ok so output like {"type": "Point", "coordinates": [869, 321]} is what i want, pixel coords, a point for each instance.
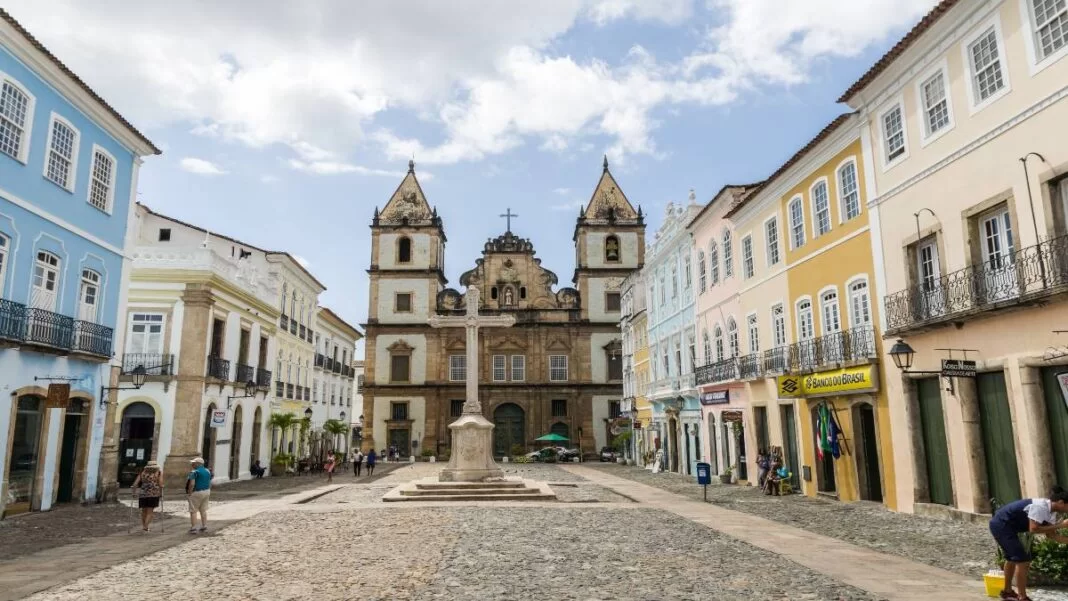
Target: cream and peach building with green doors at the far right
{"type": "Point", "coordinates": [964, 124]}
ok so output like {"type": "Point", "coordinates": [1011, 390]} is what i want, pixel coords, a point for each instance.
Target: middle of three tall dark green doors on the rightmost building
{"type": "Point", "coordinates": [999, 444]}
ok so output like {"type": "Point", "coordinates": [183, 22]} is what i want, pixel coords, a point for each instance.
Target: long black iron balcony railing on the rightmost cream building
{"type": "Point", "coordinates": [1030, 273]}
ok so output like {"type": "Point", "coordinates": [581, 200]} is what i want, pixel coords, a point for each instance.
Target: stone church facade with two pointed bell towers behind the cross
{"type": "Point", "coordinates": [558, 370]}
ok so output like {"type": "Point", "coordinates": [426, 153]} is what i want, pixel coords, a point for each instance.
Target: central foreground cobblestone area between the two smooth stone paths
{"type": "Point", "coordinates": [472, 553]}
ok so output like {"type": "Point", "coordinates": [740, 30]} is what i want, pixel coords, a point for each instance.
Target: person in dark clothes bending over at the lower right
{"type": "Point", "coordinates": [1034, 516]}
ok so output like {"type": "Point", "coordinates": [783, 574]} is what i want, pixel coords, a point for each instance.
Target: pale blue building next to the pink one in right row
{"type": "Point", "coordinates": [671, 314]}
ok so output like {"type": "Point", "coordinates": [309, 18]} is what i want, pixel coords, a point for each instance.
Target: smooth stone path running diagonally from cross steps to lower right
{"type": "Point", "coordinates": [889, 577]}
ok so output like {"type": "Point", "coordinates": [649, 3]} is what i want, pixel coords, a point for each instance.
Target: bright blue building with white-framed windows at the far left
{"type": "Point", "coordinates": [69, 168]}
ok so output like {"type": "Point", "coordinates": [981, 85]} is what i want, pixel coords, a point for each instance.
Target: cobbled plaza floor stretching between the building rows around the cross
{"type": "Point", "coordinates": [614, 533]}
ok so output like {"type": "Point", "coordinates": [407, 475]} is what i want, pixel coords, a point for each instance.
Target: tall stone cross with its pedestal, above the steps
{"type": "Point", "coordinates": [472, 460]}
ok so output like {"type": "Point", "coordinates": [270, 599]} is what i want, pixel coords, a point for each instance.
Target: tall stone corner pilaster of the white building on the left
{"type": "Point", "coordinates": [190, 392]}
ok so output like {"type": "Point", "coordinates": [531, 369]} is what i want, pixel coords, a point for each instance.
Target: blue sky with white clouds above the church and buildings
{"type": "Point", "coordinates": [286, 123]}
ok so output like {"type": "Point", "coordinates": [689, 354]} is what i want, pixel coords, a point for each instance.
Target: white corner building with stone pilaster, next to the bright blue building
{"type": "Point", "coordinates": [202, 324]}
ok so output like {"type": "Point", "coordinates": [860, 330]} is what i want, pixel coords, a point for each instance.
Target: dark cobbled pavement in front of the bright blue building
{"type": "Point", "coordinates": [67, 525]}
